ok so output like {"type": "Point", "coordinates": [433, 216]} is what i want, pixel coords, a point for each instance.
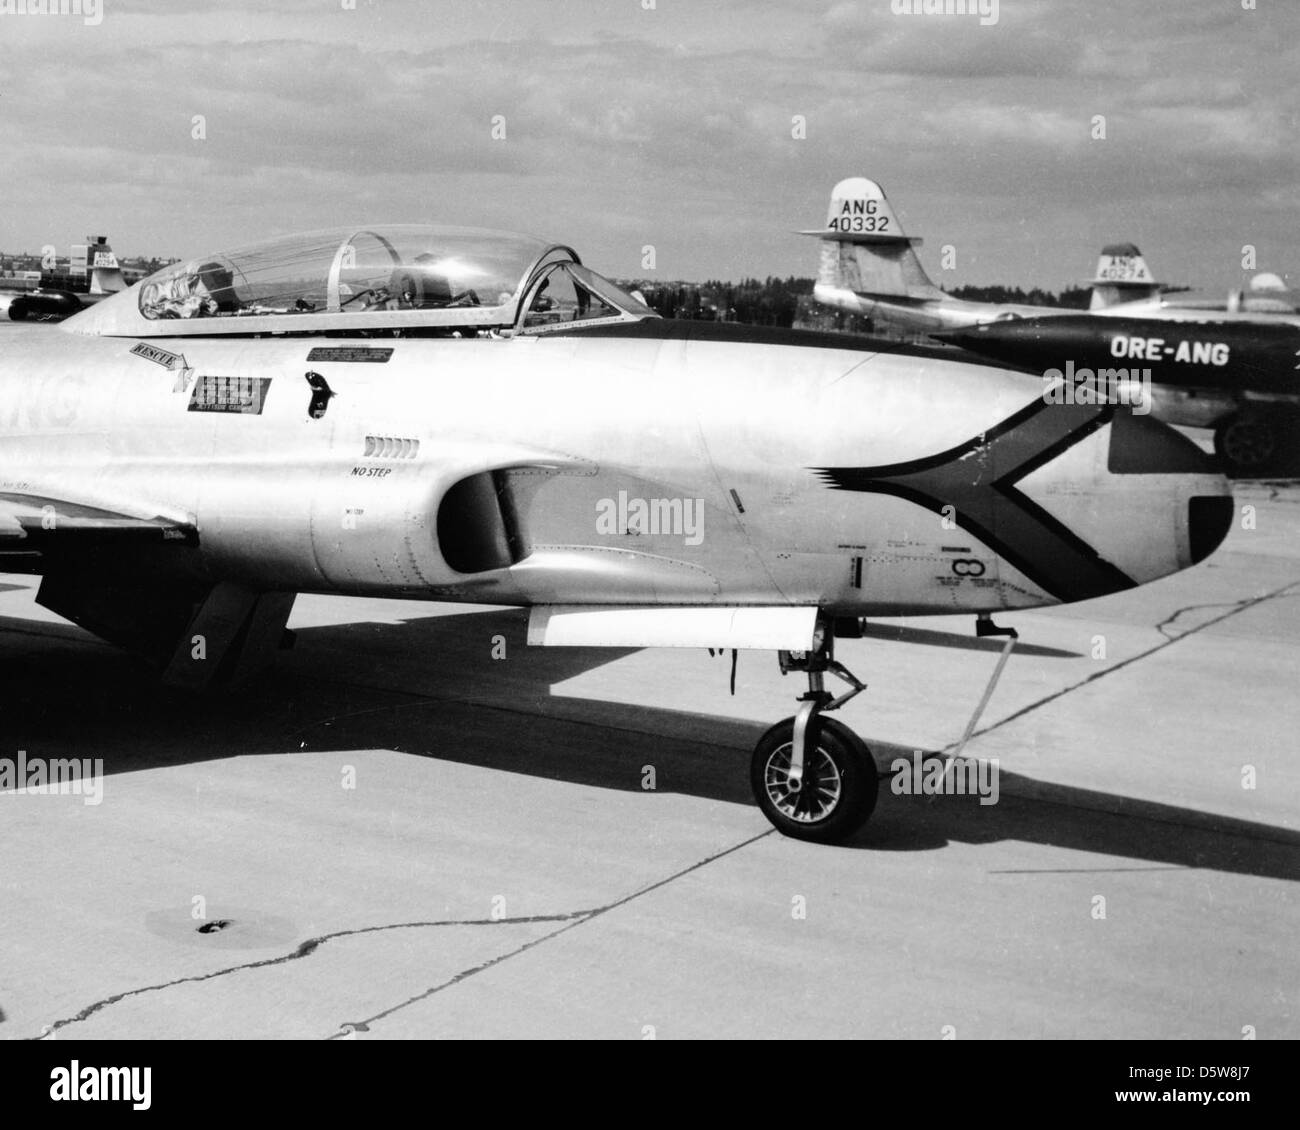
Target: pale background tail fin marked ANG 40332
{"type": "Point", "coordinates": [865, 249]}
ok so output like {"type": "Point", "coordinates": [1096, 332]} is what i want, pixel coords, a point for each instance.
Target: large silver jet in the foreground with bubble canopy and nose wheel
{"type": "Point", "coordinates": [465, 415]}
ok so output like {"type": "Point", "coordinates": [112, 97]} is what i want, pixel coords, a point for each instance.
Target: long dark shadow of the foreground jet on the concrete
{"type": "Point", "coordinates": [430, 687]}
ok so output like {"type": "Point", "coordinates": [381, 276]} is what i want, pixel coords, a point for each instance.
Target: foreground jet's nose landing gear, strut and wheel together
{"type": "Point", "coordinates": [813, 777]}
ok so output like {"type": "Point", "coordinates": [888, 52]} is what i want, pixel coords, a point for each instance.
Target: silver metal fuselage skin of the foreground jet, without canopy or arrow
{"type": "Point", "coordinates": [570, 426]}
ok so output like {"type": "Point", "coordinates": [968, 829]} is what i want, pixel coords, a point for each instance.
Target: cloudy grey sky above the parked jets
{"type": "Point", "coordinates": [666, 123]}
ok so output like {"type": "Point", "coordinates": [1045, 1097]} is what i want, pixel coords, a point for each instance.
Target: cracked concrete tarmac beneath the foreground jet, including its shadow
{"type": "Point", "coordinates": [417, 826]}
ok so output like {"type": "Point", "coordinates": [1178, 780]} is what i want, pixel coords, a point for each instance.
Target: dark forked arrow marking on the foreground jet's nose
{"type": "Point", "coordinates": [978, 480]}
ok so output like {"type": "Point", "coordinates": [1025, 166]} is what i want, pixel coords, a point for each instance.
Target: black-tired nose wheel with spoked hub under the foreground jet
{"type": "Point", "coordinates": [840, 782]}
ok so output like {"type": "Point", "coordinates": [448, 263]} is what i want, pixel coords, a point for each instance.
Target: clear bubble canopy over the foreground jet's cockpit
{"type": "Point", "coordinates": [388, 278]}
